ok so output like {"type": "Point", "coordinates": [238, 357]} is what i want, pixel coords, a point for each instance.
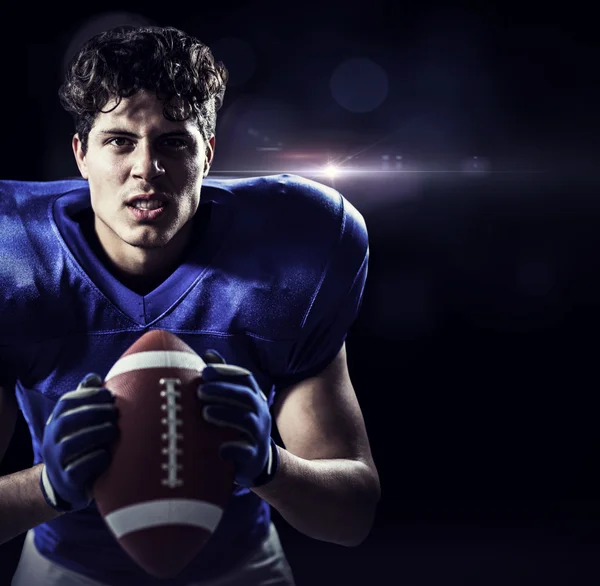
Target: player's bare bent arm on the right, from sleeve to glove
{"type": "Point", "coordinates": [327, 485]}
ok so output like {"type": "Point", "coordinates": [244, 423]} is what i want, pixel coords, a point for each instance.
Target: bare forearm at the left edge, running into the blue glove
{"type": "Point", "coordinates": [22, 505]}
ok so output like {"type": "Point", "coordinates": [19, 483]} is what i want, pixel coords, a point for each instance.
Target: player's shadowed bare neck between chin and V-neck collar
{"type": "Point", "coordinates": [141, 269]}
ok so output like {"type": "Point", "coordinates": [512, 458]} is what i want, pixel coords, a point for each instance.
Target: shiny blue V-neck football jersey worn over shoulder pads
{"type": "Point", "coordinates": [272, 279]}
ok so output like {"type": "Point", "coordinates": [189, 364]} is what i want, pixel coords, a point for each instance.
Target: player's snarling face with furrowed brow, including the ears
{"type": "Point", "coordinates": [134, 150]}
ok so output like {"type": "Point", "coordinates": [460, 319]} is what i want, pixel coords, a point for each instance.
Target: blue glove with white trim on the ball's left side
{"type": "Point", "coordinates": [76, 444]}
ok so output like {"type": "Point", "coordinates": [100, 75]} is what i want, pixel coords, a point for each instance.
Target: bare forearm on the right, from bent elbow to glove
{"type": "Point", "coordinates": [329, 500]}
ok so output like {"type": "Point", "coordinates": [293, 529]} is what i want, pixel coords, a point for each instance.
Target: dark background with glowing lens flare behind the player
{"type": "Point", "coordinates": [475, 354]}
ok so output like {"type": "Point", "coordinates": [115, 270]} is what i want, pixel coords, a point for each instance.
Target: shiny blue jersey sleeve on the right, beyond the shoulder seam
{"type": "Point", "coordinates": [335, 304]}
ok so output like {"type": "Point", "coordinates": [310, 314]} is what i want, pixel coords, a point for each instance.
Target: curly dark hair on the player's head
{"type": "Point", "coordinates": [119, 62]}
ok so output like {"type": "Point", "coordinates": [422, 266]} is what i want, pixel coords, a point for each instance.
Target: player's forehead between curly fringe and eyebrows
{"type": "Point", "coordinates": [142, 111]}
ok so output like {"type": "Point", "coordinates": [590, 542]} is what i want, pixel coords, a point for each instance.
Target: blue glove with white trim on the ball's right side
{"type": "Point", "coordinates": [235, 400]}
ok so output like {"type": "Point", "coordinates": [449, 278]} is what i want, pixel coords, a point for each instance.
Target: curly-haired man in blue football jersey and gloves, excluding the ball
{"type": "Point", "coordinates": [266, 274]}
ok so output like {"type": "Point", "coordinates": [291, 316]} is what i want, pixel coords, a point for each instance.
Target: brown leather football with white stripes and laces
{"type": "Point", "coordinates": [166, 488]}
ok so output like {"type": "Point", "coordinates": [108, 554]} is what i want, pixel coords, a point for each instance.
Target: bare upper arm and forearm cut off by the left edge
{"type": "Point", "coordinates": [22, 505]}
